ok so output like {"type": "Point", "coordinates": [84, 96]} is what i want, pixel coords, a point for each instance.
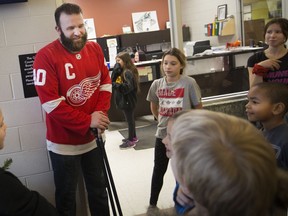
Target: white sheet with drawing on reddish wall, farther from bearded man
{"type": "Point", "coordinates": [145, 21]}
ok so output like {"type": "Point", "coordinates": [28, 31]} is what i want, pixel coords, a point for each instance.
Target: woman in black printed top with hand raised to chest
{"type": "Point", "coordinates": [271, 65]}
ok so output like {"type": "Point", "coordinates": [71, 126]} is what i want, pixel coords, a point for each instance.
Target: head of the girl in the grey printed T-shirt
{"type": "Point", "coordinates": [173, 60]}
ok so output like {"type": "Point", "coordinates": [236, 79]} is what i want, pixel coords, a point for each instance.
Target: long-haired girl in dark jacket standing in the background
{"type": "Point", "coordinates": [125, 84]}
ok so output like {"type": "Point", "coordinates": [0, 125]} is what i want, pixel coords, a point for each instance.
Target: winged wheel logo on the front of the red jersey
{"type": "Point", "coordinates": [78, 94]}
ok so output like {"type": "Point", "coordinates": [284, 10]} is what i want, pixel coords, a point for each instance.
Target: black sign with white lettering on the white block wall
{"type": "Point", "coordinates": [26, 66]}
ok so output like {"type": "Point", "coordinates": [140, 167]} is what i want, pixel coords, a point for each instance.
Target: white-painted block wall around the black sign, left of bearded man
{"type": "Point", "coordinates": [24, 29]}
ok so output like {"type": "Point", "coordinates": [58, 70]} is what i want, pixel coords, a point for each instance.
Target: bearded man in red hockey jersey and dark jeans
{"type": "Point", "coordinates": [73, 84]}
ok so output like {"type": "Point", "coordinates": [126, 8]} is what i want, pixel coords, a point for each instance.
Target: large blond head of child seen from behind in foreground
{"type": "Point", "coordinates": [225, 162]}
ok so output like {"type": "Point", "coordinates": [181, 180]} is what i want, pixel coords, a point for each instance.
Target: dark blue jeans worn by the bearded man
{"type": "Point", "coordinates": [66, 174]}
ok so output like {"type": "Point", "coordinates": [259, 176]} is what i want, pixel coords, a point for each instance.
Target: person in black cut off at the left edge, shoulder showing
{"type": "Point", "coordinates": [15, 198]}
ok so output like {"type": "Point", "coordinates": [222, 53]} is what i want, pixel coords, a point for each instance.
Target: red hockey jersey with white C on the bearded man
{"type": "Point", "coordinates": [71, 86]}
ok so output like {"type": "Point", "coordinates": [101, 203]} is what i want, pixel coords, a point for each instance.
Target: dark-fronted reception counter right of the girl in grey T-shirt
{"type": "Point", "coordinates": [222, 72]}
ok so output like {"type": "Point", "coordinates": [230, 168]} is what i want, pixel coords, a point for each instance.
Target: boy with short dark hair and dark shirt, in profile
{"type": "Point", "coordinates": [268, 104]}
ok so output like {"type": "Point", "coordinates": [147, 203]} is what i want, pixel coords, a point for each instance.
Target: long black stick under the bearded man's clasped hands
{"type": "Point", "coordinates": [107, 174]}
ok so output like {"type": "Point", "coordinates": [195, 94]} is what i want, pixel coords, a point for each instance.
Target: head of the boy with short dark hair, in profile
{"type": "Point", "coordinates": [267, 101]}
